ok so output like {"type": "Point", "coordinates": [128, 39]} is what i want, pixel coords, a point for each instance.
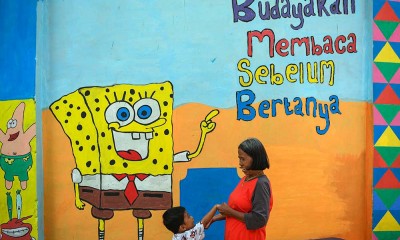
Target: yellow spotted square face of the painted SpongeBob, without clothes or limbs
{"type": "Point", "coordinates": [126, 128]}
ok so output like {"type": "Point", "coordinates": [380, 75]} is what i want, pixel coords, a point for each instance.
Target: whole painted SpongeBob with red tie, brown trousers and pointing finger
{"type": "Point", "coordinates": [121, 137]}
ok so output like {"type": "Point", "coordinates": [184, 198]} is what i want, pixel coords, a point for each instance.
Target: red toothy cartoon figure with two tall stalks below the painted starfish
{"type": "Point", "coordinates": [15, 228]}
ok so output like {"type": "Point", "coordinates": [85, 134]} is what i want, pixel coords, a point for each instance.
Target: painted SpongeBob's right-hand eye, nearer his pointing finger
{"type": "Point", "coordinates": [147, 110]}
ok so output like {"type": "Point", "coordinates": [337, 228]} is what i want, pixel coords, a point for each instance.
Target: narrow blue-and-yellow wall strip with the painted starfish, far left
{"type": "Point", "coordinates": [18, 162]}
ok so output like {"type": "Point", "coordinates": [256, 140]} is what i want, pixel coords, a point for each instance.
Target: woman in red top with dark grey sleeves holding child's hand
{"type": "Point", "coordinates": [249, 205]}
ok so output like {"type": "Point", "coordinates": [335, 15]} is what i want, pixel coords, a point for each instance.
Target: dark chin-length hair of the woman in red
{"type": "Point", "coordinates": [255, 149]}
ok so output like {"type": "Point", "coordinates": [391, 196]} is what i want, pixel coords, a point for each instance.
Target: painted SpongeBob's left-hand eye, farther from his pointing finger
{"type": "Point", "coordinates": [120, 112]}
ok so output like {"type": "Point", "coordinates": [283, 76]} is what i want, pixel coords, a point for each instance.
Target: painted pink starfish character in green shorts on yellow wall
{"type": "Point", "coordinates": [16, 157]}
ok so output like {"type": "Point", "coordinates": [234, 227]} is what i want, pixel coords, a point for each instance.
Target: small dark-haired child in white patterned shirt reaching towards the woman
{"type": "Point", "coordinates": [178, 221]}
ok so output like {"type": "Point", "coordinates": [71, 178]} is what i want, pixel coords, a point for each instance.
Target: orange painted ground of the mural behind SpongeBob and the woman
{"type": "Point", "coordinates": [321, 183]}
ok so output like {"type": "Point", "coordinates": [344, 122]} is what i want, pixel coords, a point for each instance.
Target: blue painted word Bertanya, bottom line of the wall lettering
{"type": "Point", "coordinates": [268, 108]}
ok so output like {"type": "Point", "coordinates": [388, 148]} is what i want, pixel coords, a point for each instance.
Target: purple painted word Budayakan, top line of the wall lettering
{"type": "Point", "coordinates": [266, 11]}
